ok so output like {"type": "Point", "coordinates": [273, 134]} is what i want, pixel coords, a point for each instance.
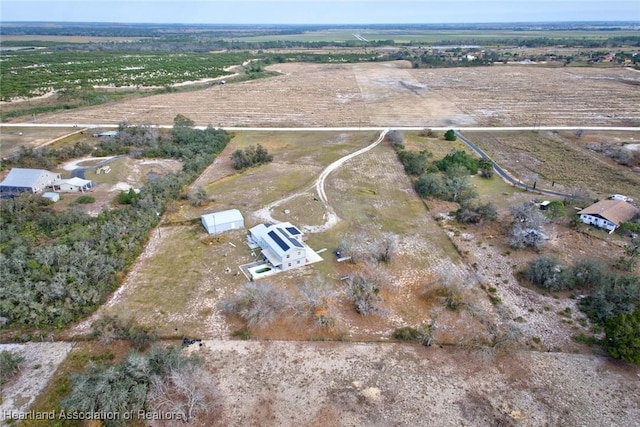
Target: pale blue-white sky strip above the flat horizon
{"type": "Point", "coordinates": [318, 11]}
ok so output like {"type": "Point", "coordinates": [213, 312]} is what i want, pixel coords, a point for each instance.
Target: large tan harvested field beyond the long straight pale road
{"type": "Point", "coordinates": [393, 94]}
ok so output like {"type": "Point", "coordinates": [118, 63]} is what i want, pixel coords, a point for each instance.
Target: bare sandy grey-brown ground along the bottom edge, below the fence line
{"type": "Point", "coordinates": [280, 383]}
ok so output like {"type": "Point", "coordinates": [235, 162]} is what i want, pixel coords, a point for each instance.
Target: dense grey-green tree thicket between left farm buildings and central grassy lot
{"type": "Point", "coordinates": [56, 266]}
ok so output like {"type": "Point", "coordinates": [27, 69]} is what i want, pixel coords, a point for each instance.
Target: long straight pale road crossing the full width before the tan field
{"type": "Point", "coordinates": [341, 129]}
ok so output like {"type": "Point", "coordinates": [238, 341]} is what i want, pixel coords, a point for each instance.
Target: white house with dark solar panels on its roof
{"type": "Point", "coordinates": [282, 246]}
